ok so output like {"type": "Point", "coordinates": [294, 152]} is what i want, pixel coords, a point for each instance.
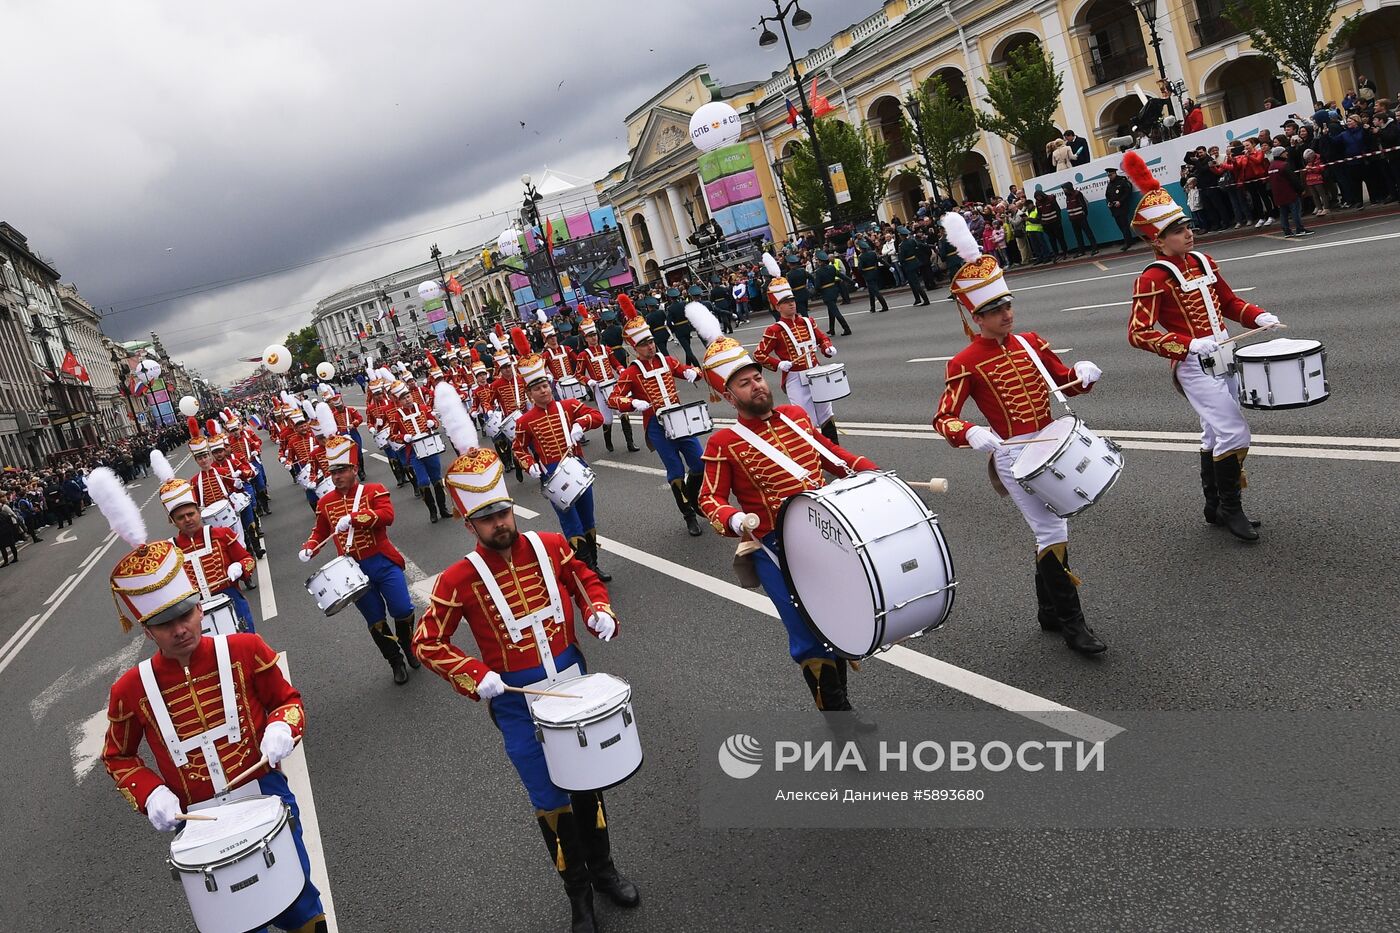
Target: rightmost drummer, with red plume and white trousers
{"type": "Point", "coordinates": [1181, 305]}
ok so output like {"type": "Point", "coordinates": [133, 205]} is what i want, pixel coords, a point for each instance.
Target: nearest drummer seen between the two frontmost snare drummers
{"type": "Point", "coordinates": [359, 518]}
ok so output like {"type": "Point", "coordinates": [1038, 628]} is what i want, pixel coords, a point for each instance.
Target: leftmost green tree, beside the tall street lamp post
{"type": "Point", "coordinates": [863, 159]}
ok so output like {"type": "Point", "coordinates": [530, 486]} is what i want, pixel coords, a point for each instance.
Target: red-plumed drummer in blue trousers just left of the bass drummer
{"type": "Point", "coordinates": [647, 386]}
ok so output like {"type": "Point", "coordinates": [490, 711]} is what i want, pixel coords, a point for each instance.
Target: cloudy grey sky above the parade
{"type": "Point", "coordinates": [201, 167]}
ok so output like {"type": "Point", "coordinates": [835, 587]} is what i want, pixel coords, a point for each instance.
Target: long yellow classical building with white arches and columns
{"type": "Point", "coordinates": [1101, 47]}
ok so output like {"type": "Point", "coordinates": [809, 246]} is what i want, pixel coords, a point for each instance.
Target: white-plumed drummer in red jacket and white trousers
{"type": "Point", "coordinates": [997, 373]}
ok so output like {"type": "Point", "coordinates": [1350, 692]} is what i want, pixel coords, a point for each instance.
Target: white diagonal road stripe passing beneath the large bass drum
{"type": "Point", "coordinates": [1003, 696]}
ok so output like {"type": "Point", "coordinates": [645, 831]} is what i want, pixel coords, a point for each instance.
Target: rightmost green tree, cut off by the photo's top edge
{"type": "Point", "coordinates": [1289, 32]}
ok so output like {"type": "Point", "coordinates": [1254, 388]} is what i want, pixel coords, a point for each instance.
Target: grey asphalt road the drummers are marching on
{"type": "Point", "coordinates": [425, 827]}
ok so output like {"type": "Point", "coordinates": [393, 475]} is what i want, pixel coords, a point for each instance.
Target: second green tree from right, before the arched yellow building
{"type": "Point", "coordinates": [1024, 99]}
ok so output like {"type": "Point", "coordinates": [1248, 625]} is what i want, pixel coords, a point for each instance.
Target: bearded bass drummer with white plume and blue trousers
{"type": "Point", "coordinates": [768, 457]}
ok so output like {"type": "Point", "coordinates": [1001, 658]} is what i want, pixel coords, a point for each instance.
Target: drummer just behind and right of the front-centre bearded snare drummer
{"type": "Point", "coordinates": [549, 432]}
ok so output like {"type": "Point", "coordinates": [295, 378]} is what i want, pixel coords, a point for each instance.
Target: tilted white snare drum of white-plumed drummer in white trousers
{"type": "Point", "coordinates": [1070, 473]}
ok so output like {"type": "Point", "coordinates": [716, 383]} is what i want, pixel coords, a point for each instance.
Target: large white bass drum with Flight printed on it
{"type": "Point", "coordinates": [873, 530]}
